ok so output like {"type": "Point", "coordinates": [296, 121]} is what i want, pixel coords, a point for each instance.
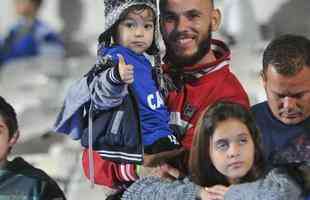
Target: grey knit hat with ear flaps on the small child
{"type": "Point", "coordinates": [113, 11]}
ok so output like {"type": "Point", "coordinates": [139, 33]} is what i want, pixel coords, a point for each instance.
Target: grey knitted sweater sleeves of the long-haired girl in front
{"type": "Point", "coordinates": [274, 186]}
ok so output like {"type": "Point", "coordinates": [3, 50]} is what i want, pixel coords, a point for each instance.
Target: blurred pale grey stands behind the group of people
{"type": "Point", "coordinates": [36, 86]}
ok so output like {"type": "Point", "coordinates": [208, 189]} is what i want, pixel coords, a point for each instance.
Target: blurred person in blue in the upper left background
{"type": "Point", "coordinates": [30, 36]}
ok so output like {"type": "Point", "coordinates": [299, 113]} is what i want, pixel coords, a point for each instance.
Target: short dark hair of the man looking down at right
{"type": "Point", "coordinates": [288, 54]}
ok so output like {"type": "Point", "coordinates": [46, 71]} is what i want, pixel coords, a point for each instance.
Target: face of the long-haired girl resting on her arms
{"type": "Point", "coordinates": [232, 149]}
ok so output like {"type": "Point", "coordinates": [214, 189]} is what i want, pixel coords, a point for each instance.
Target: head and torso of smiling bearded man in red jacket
{"type": "Point", "coordinates": [196, 64]}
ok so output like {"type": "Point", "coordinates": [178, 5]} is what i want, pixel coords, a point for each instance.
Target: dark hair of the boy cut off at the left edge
{"type": "Point", "coordinates": [9, 117]}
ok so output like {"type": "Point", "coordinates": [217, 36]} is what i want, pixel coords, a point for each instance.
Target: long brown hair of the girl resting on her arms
{"type": "Point", "coordinates": [202, 170]}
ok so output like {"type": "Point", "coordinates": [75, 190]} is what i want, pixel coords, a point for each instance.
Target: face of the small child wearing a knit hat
{"type": "Point", "coordinates": [136, 30]}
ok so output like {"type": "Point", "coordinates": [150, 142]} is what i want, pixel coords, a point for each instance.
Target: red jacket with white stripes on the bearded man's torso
{"type": "Point", "coordinates": [212, 82]}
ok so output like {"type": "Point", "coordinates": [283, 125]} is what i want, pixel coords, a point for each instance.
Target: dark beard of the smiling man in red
{"type": "Point", "coordinates": [203, 48]}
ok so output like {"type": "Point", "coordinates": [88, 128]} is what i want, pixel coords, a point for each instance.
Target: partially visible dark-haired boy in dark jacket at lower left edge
{"type": "Point", "coordinates": [19, 179]}
